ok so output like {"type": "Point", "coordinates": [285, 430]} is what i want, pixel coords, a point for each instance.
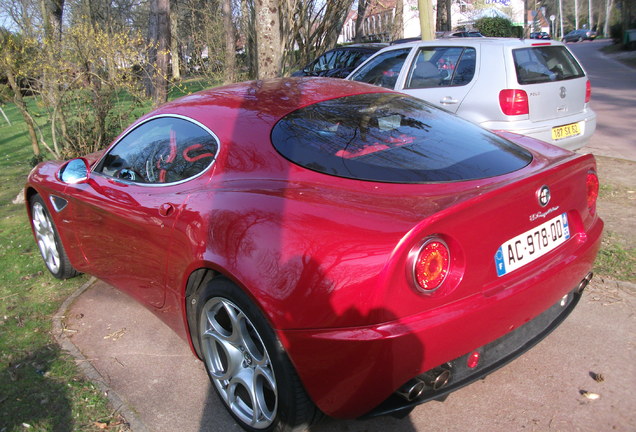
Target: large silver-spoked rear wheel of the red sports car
{"type": "Point", "coordinates": [246, 364]}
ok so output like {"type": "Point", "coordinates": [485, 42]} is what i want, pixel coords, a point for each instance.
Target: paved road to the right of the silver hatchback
{"type": "Point", "coordinates": [613, 99]}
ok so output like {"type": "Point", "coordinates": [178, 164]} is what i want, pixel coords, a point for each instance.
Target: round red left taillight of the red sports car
{"type": "Point", "coordinates": [431, 265]}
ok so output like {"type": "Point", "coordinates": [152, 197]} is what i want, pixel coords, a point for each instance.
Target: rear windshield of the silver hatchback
{"type": "Point", "coordinates": [545, 64]}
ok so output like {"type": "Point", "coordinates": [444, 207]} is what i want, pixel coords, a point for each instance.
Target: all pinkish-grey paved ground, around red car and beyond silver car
{"type": "Point", "coordinates": [157, 384]}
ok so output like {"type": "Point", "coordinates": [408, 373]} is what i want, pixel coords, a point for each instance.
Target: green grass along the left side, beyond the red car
{"type": "Point", "coordinates": [41, 388]}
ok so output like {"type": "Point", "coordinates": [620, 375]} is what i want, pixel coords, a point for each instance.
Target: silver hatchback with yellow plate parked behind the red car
{"type": "Point", "coordinates": [529, 87]}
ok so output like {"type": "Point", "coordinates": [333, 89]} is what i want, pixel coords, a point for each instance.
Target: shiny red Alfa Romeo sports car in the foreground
{"type": "Point", "coordinates": [328, 246]}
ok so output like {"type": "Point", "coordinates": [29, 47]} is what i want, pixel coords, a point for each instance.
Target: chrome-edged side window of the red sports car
{"type": "Point", "coordinates": [162, 150]}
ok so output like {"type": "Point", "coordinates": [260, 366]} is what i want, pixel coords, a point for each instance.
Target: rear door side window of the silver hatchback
{"type": "Point", "coordinates": [441, 67]}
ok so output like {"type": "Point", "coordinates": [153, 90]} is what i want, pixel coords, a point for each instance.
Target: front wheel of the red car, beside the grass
{"type": "Point", "coordinates": [48, 240]}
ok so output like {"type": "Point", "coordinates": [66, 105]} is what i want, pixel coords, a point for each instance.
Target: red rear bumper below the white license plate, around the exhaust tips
{"type": "Point", "coordinates": [352, 372]}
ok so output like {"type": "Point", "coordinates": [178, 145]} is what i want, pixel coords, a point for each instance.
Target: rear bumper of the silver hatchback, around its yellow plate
{"type": "Point", "coordinates": [543, 130]}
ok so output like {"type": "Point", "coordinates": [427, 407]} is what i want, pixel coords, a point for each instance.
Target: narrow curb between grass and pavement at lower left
{"type": "Point", "coordinates": [89, 371]}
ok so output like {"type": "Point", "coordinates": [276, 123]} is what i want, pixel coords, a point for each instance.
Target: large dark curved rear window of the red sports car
{"type": "Point", "coordinates": [395, 138]}
